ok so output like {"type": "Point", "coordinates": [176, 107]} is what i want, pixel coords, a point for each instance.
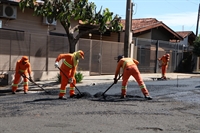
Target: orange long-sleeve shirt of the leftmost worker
{"type": "Point", "coordinates": [24, 68]}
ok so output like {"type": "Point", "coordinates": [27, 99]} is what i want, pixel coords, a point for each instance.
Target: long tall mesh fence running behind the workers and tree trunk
{"type": "Point", "coordinates": [100, 56]}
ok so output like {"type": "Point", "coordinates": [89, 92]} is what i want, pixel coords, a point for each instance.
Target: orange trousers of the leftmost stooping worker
{"type": "Point", "coordinates": [16, 82]}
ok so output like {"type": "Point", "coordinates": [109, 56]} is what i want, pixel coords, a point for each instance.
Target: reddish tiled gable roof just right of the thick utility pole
{"type": "Point", "coordinates": [151, 28]}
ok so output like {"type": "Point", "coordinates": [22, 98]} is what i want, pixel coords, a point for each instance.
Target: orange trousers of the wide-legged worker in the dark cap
{"type": "Point", "coordinates": [132, 70]}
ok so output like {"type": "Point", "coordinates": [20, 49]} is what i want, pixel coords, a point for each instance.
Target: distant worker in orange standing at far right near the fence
{"type": "Point", "coordinates": [164, 64]}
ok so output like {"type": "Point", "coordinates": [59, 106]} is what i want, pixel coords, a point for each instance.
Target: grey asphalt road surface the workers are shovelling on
{"type": "Point", "coordinates": [175, 108]}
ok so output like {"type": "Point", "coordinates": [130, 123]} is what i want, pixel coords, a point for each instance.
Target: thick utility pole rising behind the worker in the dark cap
{"type": "Point", "coordinates": [128, 28]}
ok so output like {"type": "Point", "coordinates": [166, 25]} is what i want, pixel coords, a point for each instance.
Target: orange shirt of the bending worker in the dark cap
{"type": "Point", "coordinates": [123, 63]}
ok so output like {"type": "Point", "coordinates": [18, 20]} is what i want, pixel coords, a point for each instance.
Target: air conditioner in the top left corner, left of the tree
{"type": "Point", "coordinates": [7, 11]}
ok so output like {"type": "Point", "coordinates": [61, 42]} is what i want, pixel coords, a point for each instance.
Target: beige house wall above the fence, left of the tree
{"type": "Point", "coordinates": [28, 23]}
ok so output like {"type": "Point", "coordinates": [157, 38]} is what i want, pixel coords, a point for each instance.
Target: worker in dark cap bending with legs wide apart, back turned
{"type": "Point", "coordinates": [129, 66]}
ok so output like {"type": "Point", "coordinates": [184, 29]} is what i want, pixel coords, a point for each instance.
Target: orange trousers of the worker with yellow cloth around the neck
{"type": "Point", "coordinates": [64, 82]}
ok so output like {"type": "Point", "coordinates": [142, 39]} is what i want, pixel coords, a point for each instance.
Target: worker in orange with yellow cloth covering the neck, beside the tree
{"type": "Point", "coordinates": [68, 66]}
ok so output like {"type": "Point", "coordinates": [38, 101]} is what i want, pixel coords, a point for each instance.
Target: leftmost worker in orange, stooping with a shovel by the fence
{"type": "Point", "coordinates": [23, 68]}
